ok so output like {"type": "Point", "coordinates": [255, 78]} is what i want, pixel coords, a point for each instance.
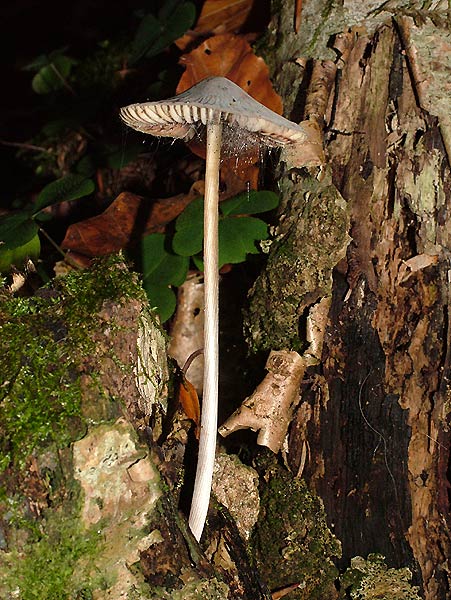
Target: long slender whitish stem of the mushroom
{"type": "Point", "coordinates": [207, 439]}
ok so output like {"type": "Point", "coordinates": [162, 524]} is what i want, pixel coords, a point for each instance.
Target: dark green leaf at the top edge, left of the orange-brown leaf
{"type": "Point", "coordinates": [156, 34]}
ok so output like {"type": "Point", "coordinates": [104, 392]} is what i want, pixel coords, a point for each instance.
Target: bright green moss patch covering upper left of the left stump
{"type": "Point", "coordinates": [43, 342]}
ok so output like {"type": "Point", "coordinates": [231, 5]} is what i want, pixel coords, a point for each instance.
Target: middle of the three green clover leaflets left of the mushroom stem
{"type": "Point", "coordinates": [159, 266]}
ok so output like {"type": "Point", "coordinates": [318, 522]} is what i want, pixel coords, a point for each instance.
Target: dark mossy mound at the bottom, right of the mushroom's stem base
{"type": "Point", "coordinates": [292, 541]}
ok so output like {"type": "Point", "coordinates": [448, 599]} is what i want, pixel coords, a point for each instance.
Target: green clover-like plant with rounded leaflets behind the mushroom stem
{"type": "Point", "coordinates": [166, 258]}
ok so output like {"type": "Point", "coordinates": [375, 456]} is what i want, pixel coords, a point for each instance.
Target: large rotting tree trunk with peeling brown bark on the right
{"type": "Point", "coordinates": [374, 415]}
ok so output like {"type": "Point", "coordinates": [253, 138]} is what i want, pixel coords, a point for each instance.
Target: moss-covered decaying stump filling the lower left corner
{"type": "Point", "coordinates": [84, 512]}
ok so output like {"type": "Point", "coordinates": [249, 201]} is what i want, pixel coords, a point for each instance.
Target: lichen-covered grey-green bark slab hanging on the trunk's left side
{"type": "Point", "coordinates": [311, 238]}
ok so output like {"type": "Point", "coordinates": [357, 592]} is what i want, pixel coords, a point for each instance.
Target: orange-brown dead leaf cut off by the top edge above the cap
{"type": "Point", "coordinates": [218, 16]}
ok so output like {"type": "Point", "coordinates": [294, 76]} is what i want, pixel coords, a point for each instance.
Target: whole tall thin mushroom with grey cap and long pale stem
{"type": "Point", "coordinates": [214, 103]}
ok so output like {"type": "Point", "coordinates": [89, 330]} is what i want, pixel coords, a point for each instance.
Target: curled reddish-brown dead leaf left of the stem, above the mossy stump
{"type": "Point", "coordinates": [115, 228]}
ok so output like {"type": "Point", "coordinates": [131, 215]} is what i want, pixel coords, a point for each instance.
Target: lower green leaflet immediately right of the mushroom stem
{"type": "Point", "coordinates": [237, 237]}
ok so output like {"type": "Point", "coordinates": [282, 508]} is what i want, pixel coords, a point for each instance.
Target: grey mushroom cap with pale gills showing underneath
{"type": "Point", "coordinates": [214, 97]}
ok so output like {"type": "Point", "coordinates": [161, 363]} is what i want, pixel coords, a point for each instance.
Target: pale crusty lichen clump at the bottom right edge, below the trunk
{"type": "Point", "coordinates": [371, 579]}
